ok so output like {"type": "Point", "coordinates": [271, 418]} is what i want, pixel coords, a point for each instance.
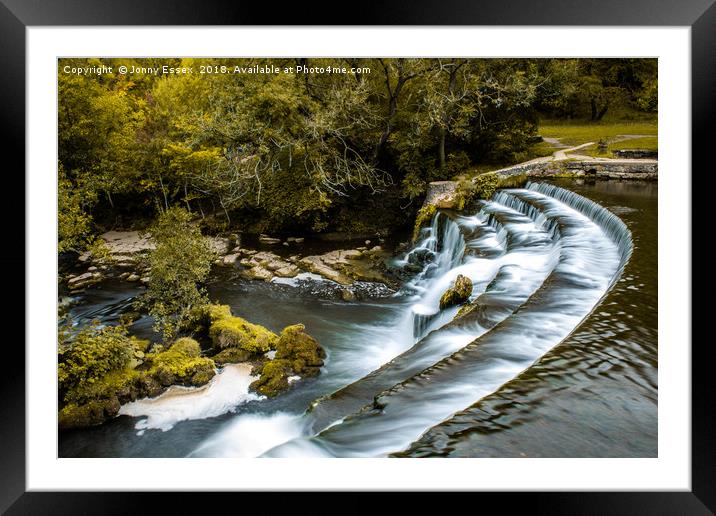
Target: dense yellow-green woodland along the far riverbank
{"type": "Point", "coordinates": [308, 152]}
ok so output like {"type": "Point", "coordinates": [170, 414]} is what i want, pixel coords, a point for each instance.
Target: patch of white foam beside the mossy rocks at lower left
{"type": "Point", "coordinates": [224, 392]}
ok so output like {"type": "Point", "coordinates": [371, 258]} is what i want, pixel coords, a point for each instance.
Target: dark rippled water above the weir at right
{"type": "Point", "coordinates": [595, 395]}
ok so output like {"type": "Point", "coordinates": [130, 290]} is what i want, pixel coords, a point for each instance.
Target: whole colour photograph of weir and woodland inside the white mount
{"type": "Point", "coordinates": [357, 257]}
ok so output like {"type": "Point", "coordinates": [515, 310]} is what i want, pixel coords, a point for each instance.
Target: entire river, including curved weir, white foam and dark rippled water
{"type": "Point", "coordinates": [518, 377]}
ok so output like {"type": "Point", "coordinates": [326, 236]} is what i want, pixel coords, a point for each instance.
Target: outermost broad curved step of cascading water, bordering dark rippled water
{"type": "Point", "coordinates": [593, 248]}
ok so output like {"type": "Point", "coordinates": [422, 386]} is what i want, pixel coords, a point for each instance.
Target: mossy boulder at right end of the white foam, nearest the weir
{"type": "Point", "coordinates": [297, 354]}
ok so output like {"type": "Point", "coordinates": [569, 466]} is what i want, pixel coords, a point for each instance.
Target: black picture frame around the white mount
{"type": "Point", "coordinates": [17, 15]}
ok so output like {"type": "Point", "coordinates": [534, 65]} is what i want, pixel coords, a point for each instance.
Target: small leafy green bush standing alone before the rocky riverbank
{"type": "Point", "coordinates": [179, 264]}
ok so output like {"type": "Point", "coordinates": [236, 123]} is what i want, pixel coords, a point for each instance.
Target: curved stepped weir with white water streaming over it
{"type": "Point", "coordinates": [541, 258]}
